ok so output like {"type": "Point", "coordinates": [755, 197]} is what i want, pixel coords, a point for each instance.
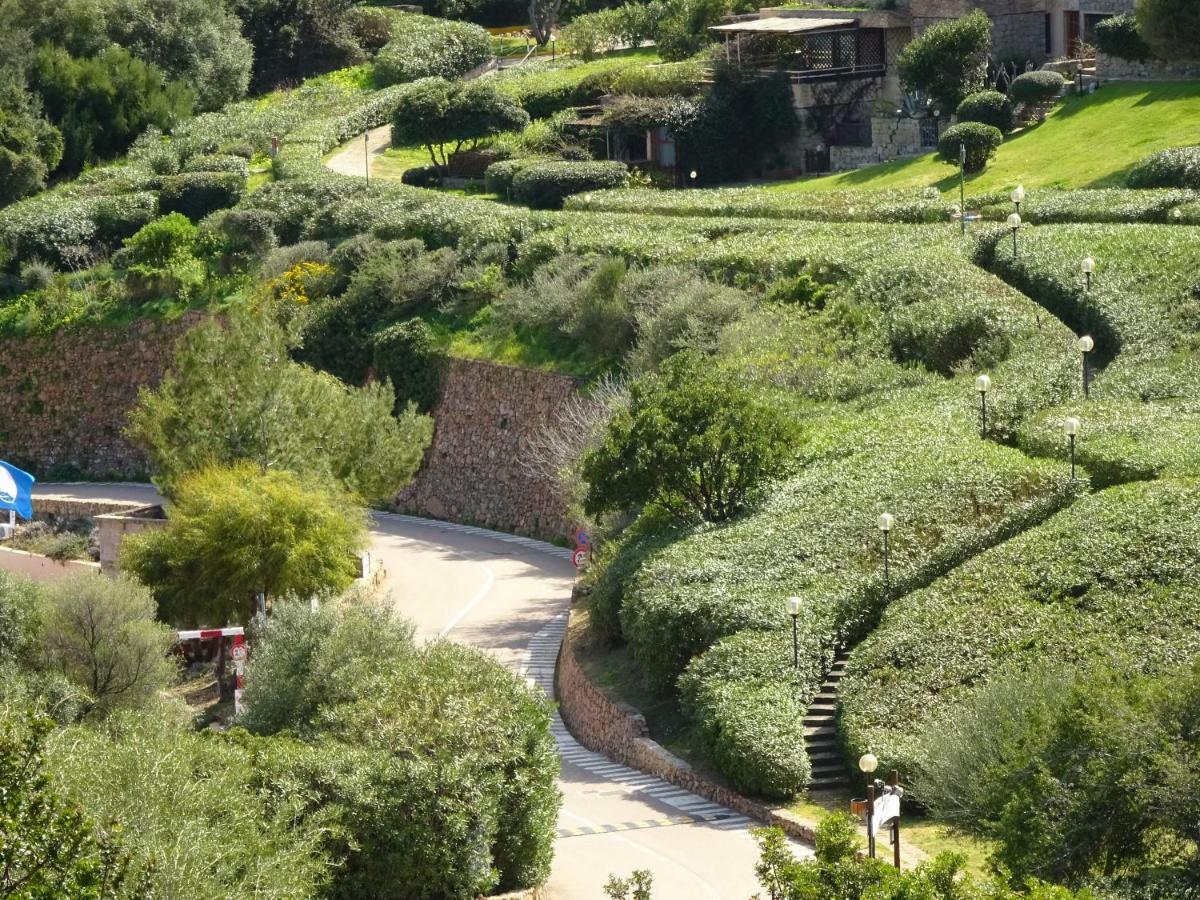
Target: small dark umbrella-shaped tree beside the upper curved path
{"type": "Point", "coordinates": [445, 117]}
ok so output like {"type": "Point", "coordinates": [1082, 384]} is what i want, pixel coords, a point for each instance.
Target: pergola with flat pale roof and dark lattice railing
{"type": "Point", "coordinates": [811, 49]}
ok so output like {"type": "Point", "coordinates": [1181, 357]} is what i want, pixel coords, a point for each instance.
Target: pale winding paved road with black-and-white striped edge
{"type": "Point", "coordinates": [509, 597]}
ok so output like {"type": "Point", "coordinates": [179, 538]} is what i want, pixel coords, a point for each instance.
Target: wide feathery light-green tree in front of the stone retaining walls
{"type": "Point", "coordinates": [235, 395]}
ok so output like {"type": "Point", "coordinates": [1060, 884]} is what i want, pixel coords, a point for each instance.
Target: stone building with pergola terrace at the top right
{"type": "Point", "coordinates": [842, 62]}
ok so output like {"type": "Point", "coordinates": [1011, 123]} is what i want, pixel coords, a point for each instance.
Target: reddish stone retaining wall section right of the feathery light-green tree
{"type": "Point", "coordinates": [476, 471]}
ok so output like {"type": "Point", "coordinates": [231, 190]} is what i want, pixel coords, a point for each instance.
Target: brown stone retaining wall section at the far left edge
{"type": "Point", "coordinates": [65, 398]}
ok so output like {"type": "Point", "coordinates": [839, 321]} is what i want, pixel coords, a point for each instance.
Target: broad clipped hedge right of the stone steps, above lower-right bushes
{"type": "Point", "coordinates": [1093, 580]}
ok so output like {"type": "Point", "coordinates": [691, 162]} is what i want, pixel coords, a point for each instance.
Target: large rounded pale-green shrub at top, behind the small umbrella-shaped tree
{"type": "Point", "coordinates": [424, 47]}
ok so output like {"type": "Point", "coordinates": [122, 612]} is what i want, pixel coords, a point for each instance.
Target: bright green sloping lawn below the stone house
{"type": "Point", "coordinates": [1089, 142]}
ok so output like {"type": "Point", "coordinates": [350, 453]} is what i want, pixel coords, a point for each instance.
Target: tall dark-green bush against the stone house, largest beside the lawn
{"type": "Point", "coordinates": [949, 61]}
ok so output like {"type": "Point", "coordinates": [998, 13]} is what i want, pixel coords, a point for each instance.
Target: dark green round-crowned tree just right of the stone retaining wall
{"type": "Point", "coordinates": [695, 440]}
